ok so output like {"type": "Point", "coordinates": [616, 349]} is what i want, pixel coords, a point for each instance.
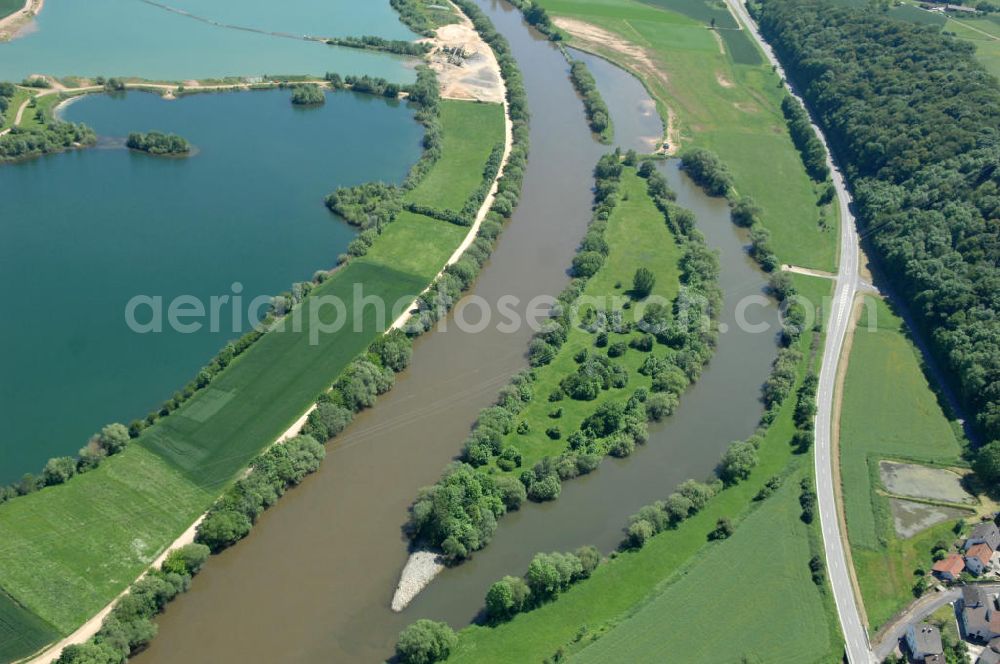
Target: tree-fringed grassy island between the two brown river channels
{"type": "Point", "coordinates": [600, 371]}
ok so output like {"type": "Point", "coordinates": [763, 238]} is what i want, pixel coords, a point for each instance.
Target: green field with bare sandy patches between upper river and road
{"type": "Point", "coordinates": [728, 102]}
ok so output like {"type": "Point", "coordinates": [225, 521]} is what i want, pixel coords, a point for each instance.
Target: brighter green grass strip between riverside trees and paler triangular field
{"type": "Point", "coordinates": [631, 578]}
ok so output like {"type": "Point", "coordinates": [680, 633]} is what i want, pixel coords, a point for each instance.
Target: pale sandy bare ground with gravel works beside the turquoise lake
{"type": "Point", "coordinates": [466, 67]}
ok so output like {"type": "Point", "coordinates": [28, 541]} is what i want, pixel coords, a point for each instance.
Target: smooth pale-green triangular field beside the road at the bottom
{"type": "Point", "coordinates": [754, 580]}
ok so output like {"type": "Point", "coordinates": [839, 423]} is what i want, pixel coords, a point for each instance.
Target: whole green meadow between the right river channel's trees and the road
{"type": "Point", "coordinates": [630, 586]}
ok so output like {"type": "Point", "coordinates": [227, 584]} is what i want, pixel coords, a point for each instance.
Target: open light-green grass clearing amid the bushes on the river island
{"type": "Point", "coordinates": [637, 234]}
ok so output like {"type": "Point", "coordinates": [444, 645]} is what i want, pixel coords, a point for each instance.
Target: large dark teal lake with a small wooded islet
{"type": "Point", "coordinates": [85, 231]}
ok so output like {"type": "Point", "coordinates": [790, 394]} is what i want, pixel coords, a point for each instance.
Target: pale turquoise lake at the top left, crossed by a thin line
{"type": "Point", "coordinates": [138, 38]}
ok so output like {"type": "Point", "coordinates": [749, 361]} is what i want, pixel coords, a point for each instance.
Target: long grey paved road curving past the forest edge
{"type": "Point", "coordinates": [856, 642]}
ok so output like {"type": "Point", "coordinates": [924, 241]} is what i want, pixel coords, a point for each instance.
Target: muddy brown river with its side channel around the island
{"type": "Point", "coordinates": [313, 581]}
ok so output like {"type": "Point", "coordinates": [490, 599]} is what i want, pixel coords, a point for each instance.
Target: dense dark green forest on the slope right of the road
{"type": "Point", "coordinates": [915, 121]}
